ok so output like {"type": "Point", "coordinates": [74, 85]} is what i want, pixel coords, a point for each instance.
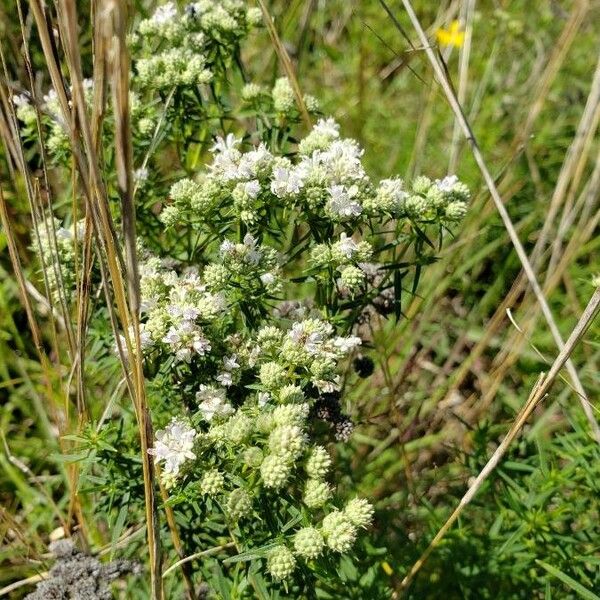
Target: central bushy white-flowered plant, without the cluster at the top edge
{"type": "Point", "coordinates": [254, 321]}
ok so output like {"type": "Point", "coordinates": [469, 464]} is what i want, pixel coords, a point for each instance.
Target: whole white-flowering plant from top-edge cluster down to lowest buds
{"type": "Point", "coordinates": [257, 297]}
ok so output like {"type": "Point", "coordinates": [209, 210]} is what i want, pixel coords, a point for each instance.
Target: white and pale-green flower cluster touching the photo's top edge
{"type": "Point", "coordinates": [181, 48]}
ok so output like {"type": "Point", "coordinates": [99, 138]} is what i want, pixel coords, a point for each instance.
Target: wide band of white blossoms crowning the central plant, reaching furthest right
{"type": "Point", "coordinates": [326, 182]}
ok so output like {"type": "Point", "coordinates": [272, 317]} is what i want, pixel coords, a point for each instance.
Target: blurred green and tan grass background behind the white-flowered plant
{"type": "Point", "coordinates": [450, 376]}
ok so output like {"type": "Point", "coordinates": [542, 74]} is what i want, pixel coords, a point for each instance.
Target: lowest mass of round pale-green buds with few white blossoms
{"type": "Point", "coordinates": [263, 447]}
